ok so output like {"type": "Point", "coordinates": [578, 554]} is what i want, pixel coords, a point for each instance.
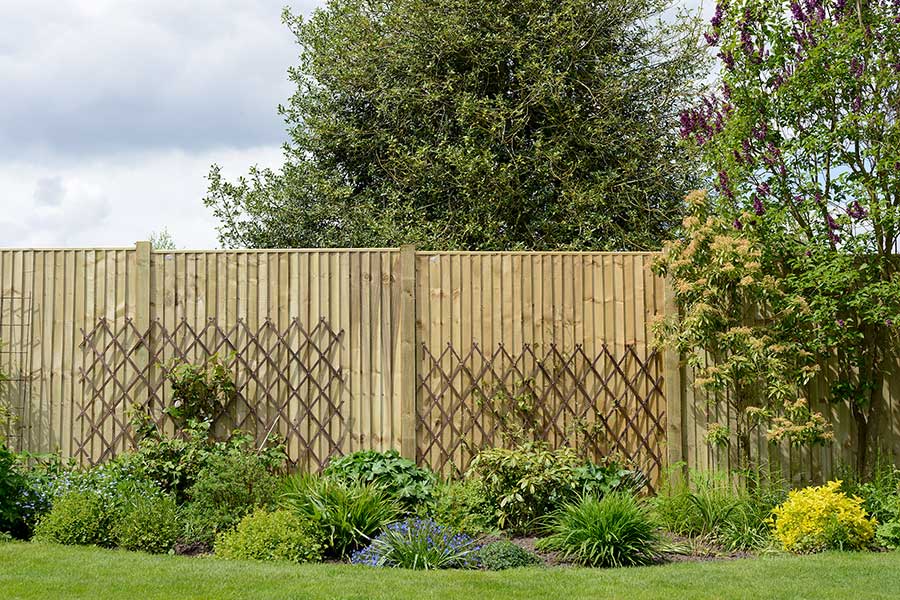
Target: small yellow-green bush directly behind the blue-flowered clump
{"type": "Point", "coordinates": [462, 506]}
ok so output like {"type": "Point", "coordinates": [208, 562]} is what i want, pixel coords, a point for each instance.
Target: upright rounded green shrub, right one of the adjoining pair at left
{"type": "Point", "coordinates": [147, 520]}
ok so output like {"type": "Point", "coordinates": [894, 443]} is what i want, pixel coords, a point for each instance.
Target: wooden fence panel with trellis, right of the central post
{"type": "Point", "coordinates": [557, 344]}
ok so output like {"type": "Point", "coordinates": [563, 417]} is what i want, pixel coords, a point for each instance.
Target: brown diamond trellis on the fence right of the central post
{"type": "Point", "coordinates": [602, 405]}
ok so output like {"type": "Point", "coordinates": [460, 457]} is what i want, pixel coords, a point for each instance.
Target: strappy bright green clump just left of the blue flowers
{"type": "Point", "coordinates": [347, 515]}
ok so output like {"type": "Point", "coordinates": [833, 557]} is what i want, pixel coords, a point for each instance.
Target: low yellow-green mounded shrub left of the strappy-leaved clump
{"type": "Point", "coordinates": [264, 535]}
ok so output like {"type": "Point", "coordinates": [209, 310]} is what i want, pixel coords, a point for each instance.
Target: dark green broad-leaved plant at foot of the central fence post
{"type": "Point", "coordinates": [398, 476]}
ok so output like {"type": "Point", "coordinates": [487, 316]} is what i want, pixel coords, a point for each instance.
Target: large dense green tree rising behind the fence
{"type": "Point", "coordinates": [477, 124]}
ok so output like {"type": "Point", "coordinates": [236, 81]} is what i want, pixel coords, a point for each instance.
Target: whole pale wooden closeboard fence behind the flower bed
{"type": "Point", "coordinates": [432, 353]}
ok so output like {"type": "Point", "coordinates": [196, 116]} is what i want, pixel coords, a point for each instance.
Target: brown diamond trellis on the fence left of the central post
{"type": "Point", "coordinates": [285, 382]}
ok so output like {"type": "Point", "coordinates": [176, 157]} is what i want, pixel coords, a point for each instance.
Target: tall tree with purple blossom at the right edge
{"type": "Point", "coordinates": [803, 140]}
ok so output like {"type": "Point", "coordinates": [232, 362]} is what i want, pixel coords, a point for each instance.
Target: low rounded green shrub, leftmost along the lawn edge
{"type": "Point", "coordinates": [78, 518]}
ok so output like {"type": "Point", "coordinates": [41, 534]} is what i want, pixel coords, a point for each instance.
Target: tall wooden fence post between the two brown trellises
{"type": "Point", "coordinates": [406, 357]}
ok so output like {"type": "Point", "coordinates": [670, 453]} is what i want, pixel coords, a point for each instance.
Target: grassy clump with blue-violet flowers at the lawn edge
{"type": "Point", "coordinates": [419, 544]}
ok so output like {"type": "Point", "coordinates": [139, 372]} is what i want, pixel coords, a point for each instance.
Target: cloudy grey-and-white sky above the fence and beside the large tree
{"type": "Point", "coordinates": [114, 110]}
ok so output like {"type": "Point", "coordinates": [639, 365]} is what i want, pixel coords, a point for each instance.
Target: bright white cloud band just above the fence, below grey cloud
{"type": "Point", "coordinates": [117, 201]}
